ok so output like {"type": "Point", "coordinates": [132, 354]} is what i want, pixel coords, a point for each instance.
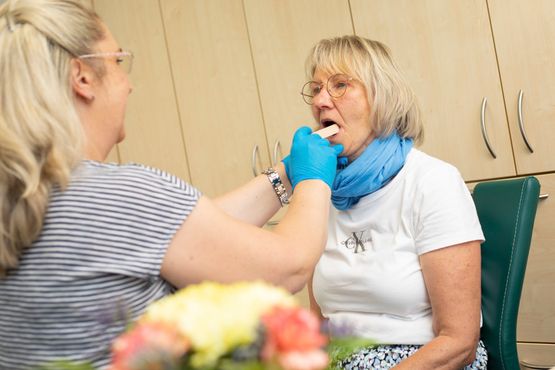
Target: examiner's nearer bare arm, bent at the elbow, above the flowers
{"type": "Point", "coordinates": [237, 251]}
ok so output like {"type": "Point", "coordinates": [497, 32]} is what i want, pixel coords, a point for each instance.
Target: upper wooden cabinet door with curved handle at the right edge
{"type": "Point", "coordinates": [524, 33]}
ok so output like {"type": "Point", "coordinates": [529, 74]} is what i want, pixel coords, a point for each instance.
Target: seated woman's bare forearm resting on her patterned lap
{"type": "Point", "coordinates": [442, 353]}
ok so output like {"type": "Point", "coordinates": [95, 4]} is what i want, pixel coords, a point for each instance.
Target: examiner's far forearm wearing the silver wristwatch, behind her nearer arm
{"type": "Point", "coordinates": [256, 201]}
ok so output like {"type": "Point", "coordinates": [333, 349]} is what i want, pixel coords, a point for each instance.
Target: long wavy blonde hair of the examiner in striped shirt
{"type": "Point", "coordinates": [41, 136]}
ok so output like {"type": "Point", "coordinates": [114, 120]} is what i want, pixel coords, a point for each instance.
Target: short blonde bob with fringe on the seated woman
{"type": "Point", "coordinates": [393, 103]}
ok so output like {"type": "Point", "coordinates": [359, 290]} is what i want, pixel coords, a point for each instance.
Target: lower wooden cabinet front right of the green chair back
{"type": "Point", "coordinates": [536, 318]}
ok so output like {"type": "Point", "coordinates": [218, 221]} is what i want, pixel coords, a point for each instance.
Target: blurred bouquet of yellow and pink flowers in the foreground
{"type": "Point", "coordinates": [213, 326]}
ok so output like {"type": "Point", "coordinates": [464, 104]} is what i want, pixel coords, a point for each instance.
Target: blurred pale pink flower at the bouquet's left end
{"type": "Point", "coordinates": [147, 346]}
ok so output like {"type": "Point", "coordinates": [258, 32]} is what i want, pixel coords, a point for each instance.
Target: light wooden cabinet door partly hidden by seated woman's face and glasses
{"type": "Point", "coordinates": [282, 32]}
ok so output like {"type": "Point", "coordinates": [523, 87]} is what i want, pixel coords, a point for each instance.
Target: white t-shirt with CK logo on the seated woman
{"type": "Point", "coordinates": [369, 278]}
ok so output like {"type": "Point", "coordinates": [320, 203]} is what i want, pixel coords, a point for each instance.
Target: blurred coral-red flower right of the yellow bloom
{"type": "Point", "coordinates": [291, 330]}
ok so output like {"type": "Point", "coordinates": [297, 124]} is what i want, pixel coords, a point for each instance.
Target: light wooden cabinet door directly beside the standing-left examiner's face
{"type": "Point", "coordinates": [152, 124]}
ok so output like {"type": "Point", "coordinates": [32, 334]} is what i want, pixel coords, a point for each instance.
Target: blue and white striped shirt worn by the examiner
{"type": "Point", "coordinates": [94, 267]}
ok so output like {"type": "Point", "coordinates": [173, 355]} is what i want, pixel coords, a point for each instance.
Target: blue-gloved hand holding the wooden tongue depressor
{"type": "Point", "coordinates": [311, 158]}
